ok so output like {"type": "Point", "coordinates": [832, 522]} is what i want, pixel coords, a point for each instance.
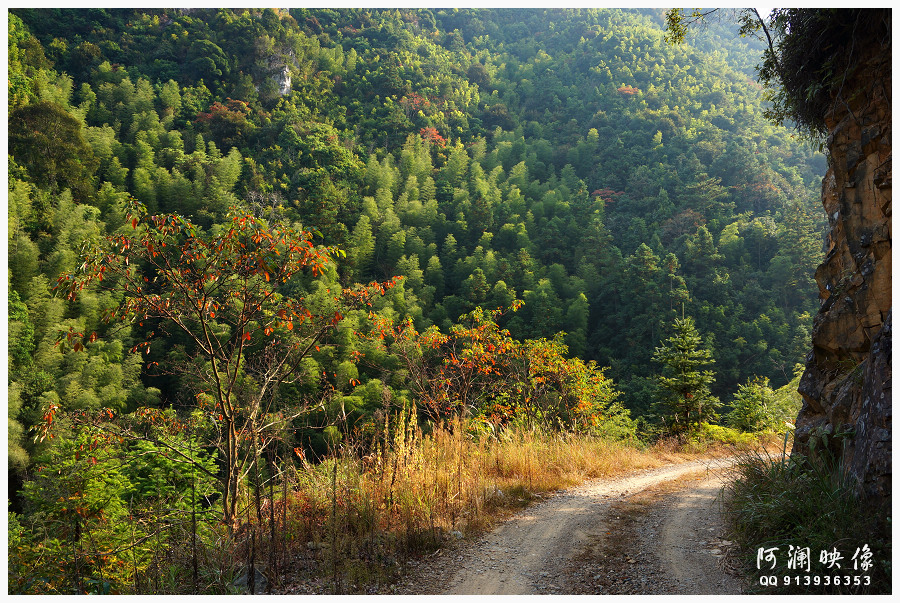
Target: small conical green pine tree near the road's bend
{"type": "Point", "coordinates": [686, 400]}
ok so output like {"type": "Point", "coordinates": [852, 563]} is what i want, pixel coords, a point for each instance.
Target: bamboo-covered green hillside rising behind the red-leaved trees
{"type": "Point", "coordinates": [571, 159]}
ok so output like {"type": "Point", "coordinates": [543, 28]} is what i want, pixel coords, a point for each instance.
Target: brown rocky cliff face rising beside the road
{"type": "Point", "coordinates": [847, 384]}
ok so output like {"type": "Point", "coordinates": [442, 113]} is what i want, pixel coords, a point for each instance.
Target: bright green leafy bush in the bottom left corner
{"type": "Point", "coordinates": [76, 534]}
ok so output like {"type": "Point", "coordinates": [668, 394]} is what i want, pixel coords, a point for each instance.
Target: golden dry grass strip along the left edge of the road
{"type": "Point", "coordinates": [346, 525]}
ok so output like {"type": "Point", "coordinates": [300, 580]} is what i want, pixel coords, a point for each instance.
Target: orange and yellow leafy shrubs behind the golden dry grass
{"type": "Point", "coordinates": [478, 370]}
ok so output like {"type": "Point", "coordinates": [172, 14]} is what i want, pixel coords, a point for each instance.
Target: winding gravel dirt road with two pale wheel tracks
{"type": "Point", "coordinates": [654, 532]}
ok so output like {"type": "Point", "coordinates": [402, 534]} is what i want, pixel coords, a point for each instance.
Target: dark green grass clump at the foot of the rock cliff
{"type": "Point", "coordinates": [781, 505]}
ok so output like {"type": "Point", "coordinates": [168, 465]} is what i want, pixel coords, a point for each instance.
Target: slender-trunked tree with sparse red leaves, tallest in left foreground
{"type": "Point", "coordinates": [230, 291]}
